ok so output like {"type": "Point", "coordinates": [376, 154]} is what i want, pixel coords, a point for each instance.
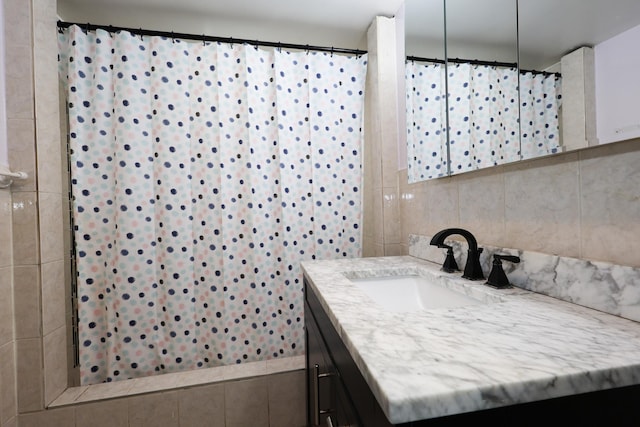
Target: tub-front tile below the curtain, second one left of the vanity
{"type": "Point", "coordinates": [246, 403]}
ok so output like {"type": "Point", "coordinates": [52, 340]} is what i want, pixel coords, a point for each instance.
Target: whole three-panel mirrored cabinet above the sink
{"type": "Point", "coordinates": [558, 49]}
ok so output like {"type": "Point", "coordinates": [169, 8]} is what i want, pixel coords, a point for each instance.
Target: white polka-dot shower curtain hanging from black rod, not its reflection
{"type": "Point", "coordinates": [202, 174]}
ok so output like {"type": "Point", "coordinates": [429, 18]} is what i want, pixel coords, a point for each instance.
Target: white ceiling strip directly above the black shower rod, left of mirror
{"type": "Point", "coordinates": [338, 23]}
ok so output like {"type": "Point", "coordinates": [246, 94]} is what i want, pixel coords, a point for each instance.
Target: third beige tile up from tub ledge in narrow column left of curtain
{"type": "Point", "coordinates": [51, 227]}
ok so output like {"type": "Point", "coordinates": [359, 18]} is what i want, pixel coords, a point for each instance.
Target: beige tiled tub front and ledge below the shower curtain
{"type": "Point", "coordinates": [267, 394]}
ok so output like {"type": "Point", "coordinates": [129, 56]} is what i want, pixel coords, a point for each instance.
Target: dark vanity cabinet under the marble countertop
{"type": "Point", "coordinates": [338, 395]}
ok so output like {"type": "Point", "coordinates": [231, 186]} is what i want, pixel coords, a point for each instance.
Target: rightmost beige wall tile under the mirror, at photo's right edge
{"type": "Point", "coordinates": [610, 203]}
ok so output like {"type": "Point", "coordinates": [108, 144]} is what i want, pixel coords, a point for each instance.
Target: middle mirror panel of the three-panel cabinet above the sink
{"type": "Point", "coordinates": [482, 83]}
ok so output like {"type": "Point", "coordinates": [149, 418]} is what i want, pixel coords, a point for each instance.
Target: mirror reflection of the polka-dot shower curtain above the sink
{"type": "Point", "coordinates": [486, 127]}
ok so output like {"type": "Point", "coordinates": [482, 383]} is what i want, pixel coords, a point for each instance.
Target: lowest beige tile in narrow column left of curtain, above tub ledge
{"type": "Point", "coordinates": [55, 364]}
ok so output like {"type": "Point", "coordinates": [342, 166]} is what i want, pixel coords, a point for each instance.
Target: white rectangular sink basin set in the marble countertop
{"type": "Point", "coordinates": [411, 293]}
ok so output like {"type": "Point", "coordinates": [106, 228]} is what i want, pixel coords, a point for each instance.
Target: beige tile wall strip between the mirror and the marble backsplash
{"type": "Point", "coordinates": [582, 204]}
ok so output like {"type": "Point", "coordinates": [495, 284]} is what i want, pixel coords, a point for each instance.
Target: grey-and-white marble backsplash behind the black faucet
{"type": "Point", "coordinates": [610, 288]}
